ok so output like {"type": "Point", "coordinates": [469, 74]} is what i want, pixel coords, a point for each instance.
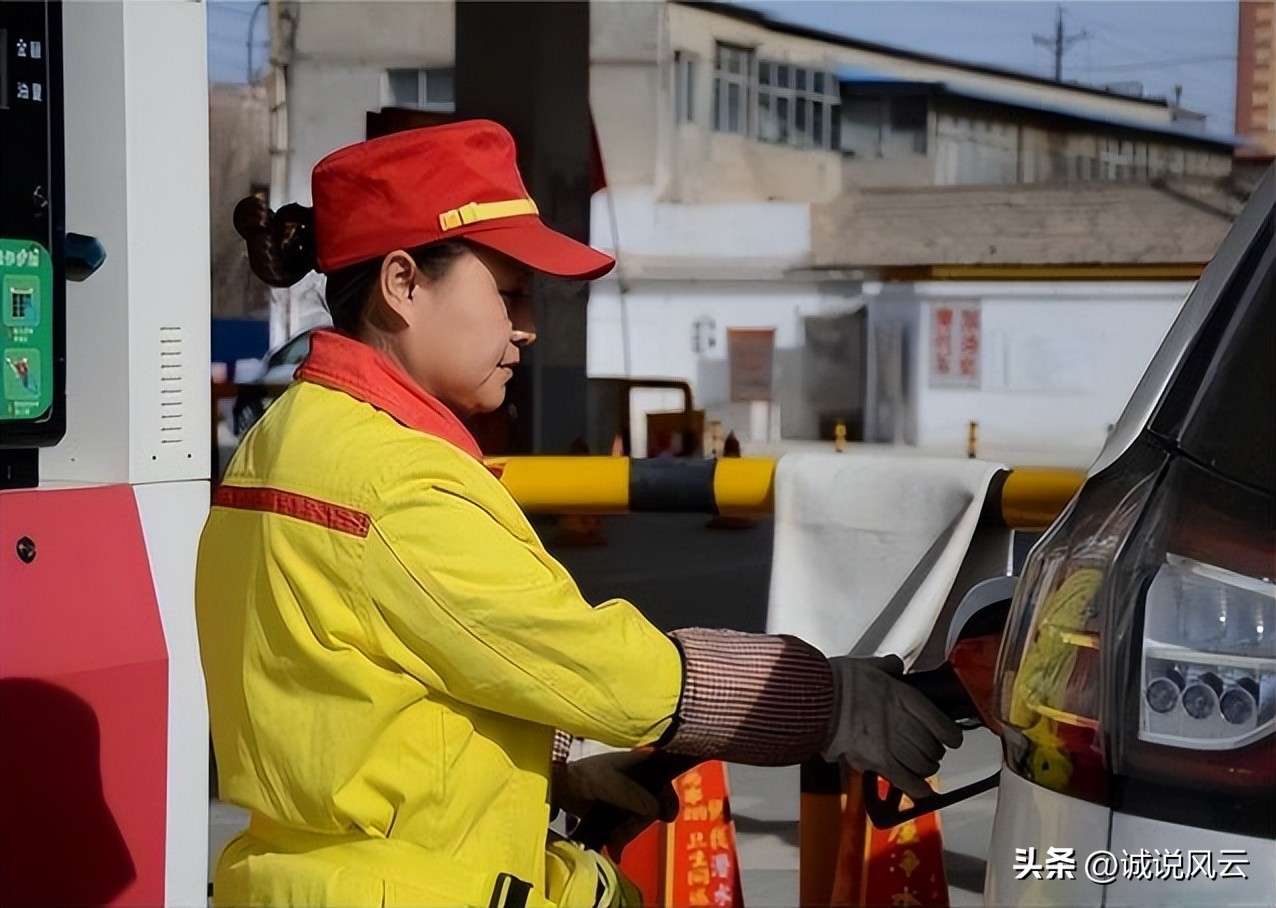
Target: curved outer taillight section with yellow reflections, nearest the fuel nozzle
{"type": "Point", "coordinates": [1050, 669]}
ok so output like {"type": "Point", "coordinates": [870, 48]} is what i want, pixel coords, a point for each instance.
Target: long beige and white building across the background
{"type": "Point", "coordinates": [724, 138]}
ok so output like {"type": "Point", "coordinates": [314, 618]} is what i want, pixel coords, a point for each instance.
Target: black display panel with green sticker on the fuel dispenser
{"type": "Point", "coordinates": [33, 276]}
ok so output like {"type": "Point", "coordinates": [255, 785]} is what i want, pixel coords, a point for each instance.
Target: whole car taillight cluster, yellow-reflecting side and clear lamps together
{"type": "Point", "coordinates": [1139, 668]}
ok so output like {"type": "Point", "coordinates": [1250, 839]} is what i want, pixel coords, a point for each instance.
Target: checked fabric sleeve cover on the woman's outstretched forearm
{"type": "Point", "coordinates": [752, 698]}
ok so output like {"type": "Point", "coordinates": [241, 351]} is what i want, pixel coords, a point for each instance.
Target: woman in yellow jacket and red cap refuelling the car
{"type": "Point", "coordinates": [390, 650]}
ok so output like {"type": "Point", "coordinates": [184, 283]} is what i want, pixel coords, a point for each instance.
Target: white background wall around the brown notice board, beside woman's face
{"type": "Point", "coordinates": [692, 272]}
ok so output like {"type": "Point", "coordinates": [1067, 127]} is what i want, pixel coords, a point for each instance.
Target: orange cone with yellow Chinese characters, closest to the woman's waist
{"type": "Point", "coordinates": [694, 860]}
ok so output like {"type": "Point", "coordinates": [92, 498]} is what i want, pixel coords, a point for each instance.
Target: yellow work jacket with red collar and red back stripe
{"type": "Point", "coordinates": [389, 650]}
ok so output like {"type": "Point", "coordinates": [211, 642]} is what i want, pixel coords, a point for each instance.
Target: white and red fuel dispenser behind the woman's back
{"type": "Point", "coordinates": [104, 452]}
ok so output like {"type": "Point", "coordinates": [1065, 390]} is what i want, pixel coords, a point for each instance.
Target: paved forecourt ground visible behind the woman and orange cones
{"type": "Point", "coordinates": [682, 573]}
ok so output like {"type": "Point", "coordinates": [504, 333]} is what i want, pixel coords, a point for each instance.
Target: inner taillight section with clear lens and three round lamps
{"type": "Point", "coordinates": [1191, 707]}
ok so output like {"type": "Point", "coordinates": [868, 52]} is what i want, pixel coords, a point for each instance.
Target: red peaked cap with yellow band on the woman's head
{"type": "Point", "coordinates": [438, 183]}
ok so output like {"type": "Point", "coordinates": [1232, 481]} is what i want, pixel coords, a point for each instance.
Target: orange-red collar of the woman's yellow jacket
{"type": "Point", "coordinates": [353, 368]}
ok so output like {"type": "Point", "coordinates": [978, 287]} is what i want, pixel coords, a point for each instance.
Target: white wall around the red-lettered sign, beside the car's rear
{"type": "Point", "coordinates": [1057, 362]}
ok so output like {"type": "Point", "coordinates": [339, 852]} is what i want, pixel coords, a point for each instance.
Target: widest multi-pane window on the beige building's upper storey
{"type": "Point", "coordinates": [797, 105]}
